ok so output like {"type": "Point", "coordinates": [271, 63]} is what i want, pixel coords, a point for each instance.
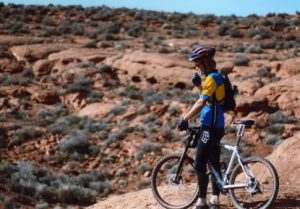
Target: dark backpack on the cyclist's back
{"type": "Point", "coordinates": [230, 92]}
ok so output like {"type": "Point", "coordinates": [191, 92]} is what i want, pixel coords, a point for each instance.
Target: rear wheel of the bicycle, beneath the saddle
{"type": "Point", "coordinates": [261, 180]}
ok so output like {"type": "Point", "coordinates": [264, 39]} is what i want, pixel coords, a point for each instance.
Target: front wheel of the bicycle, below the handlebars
{"type": "Point", "coordinates": [171, 191]}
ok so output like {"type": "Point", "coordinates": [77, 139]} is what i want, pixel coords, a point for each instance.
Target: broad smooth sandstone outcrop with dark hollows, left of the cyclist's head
{"type": "Point", "coordinates": [152, 68]}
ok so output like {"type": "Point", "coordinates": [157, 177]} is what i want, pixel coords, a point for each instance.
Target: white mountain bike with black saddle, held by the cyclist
{"type": "Point", "coordinates": [251, 183]}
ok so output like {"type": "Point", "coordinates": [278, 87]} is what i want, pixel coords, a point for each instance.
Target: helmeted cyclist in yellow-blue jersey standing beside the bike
{"type": "Point", "coordinates": [212, 93]}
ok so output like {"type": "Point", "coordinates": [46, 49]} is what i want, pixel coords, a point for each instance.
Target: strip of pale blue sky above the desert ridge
{"type": "Point", "coordinates": [217, 7]}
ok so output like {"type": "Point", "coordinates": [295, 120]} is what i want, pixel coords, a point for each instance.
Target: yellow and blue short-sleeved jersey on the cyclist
{"type": "Point", "coordinates": [213, 83]}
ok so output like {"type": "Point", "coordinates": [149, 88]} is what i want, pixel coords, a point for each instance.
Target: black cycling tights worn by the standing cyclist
{"type": "Point", "coordinates": [208, 151]}
